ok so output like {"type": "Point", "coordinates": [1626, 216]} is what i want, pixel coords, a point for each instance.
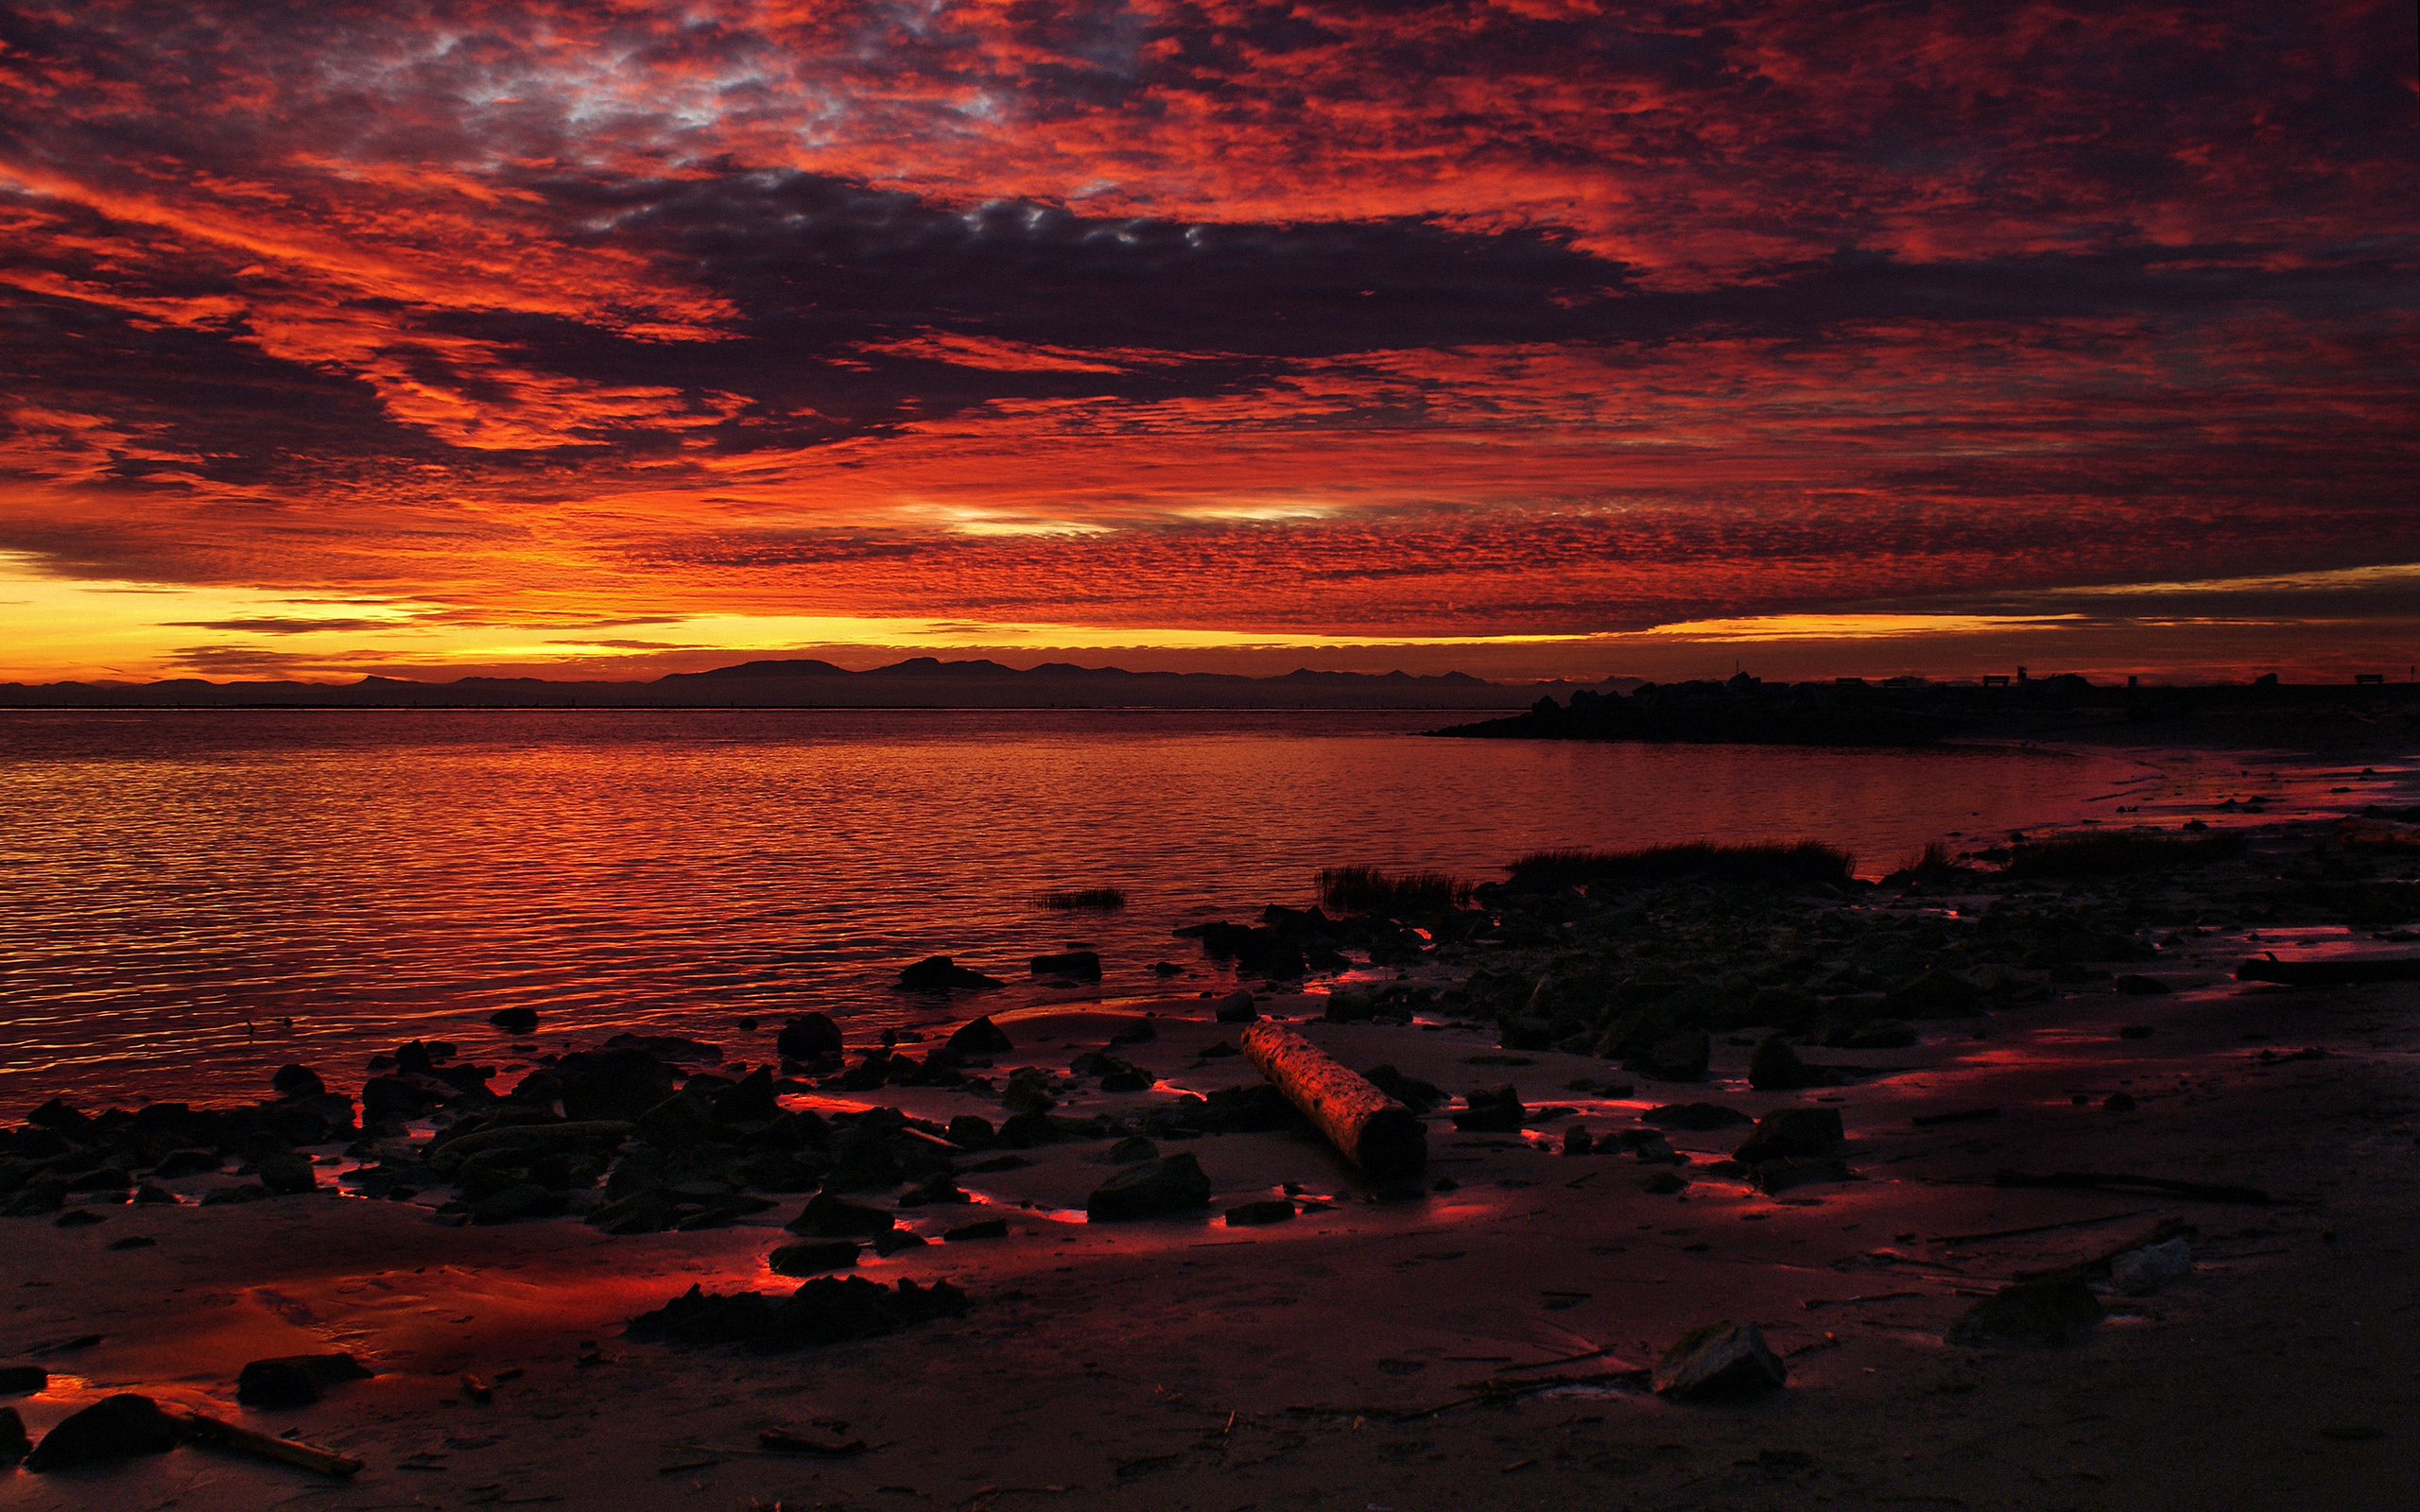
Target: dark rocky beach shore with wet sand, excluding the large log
{"type": "Point", "coordinates": [1986, 1187]}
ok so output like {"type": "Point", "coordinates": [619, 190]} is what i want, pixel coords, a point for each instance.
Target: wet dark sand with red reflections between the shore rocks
{"type": "Point", "coordinates": [1366, 1356]}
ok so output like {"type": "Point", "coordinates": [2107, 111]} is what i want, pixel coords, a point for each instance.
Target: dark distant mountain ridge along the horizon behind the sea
{"type": "Point", "coordinates": [916, 683]}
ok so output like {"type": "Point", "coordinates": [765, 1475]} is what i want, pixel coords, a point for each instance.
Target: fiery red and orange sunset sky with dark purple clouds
{"type": "Point", "coordinates": [1526, 337]}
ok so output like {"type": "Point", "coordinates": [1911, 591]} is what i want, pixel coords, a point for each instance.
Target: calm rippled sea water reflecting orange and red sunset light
{"type": "Point", "coordinates": [175, 887]}
